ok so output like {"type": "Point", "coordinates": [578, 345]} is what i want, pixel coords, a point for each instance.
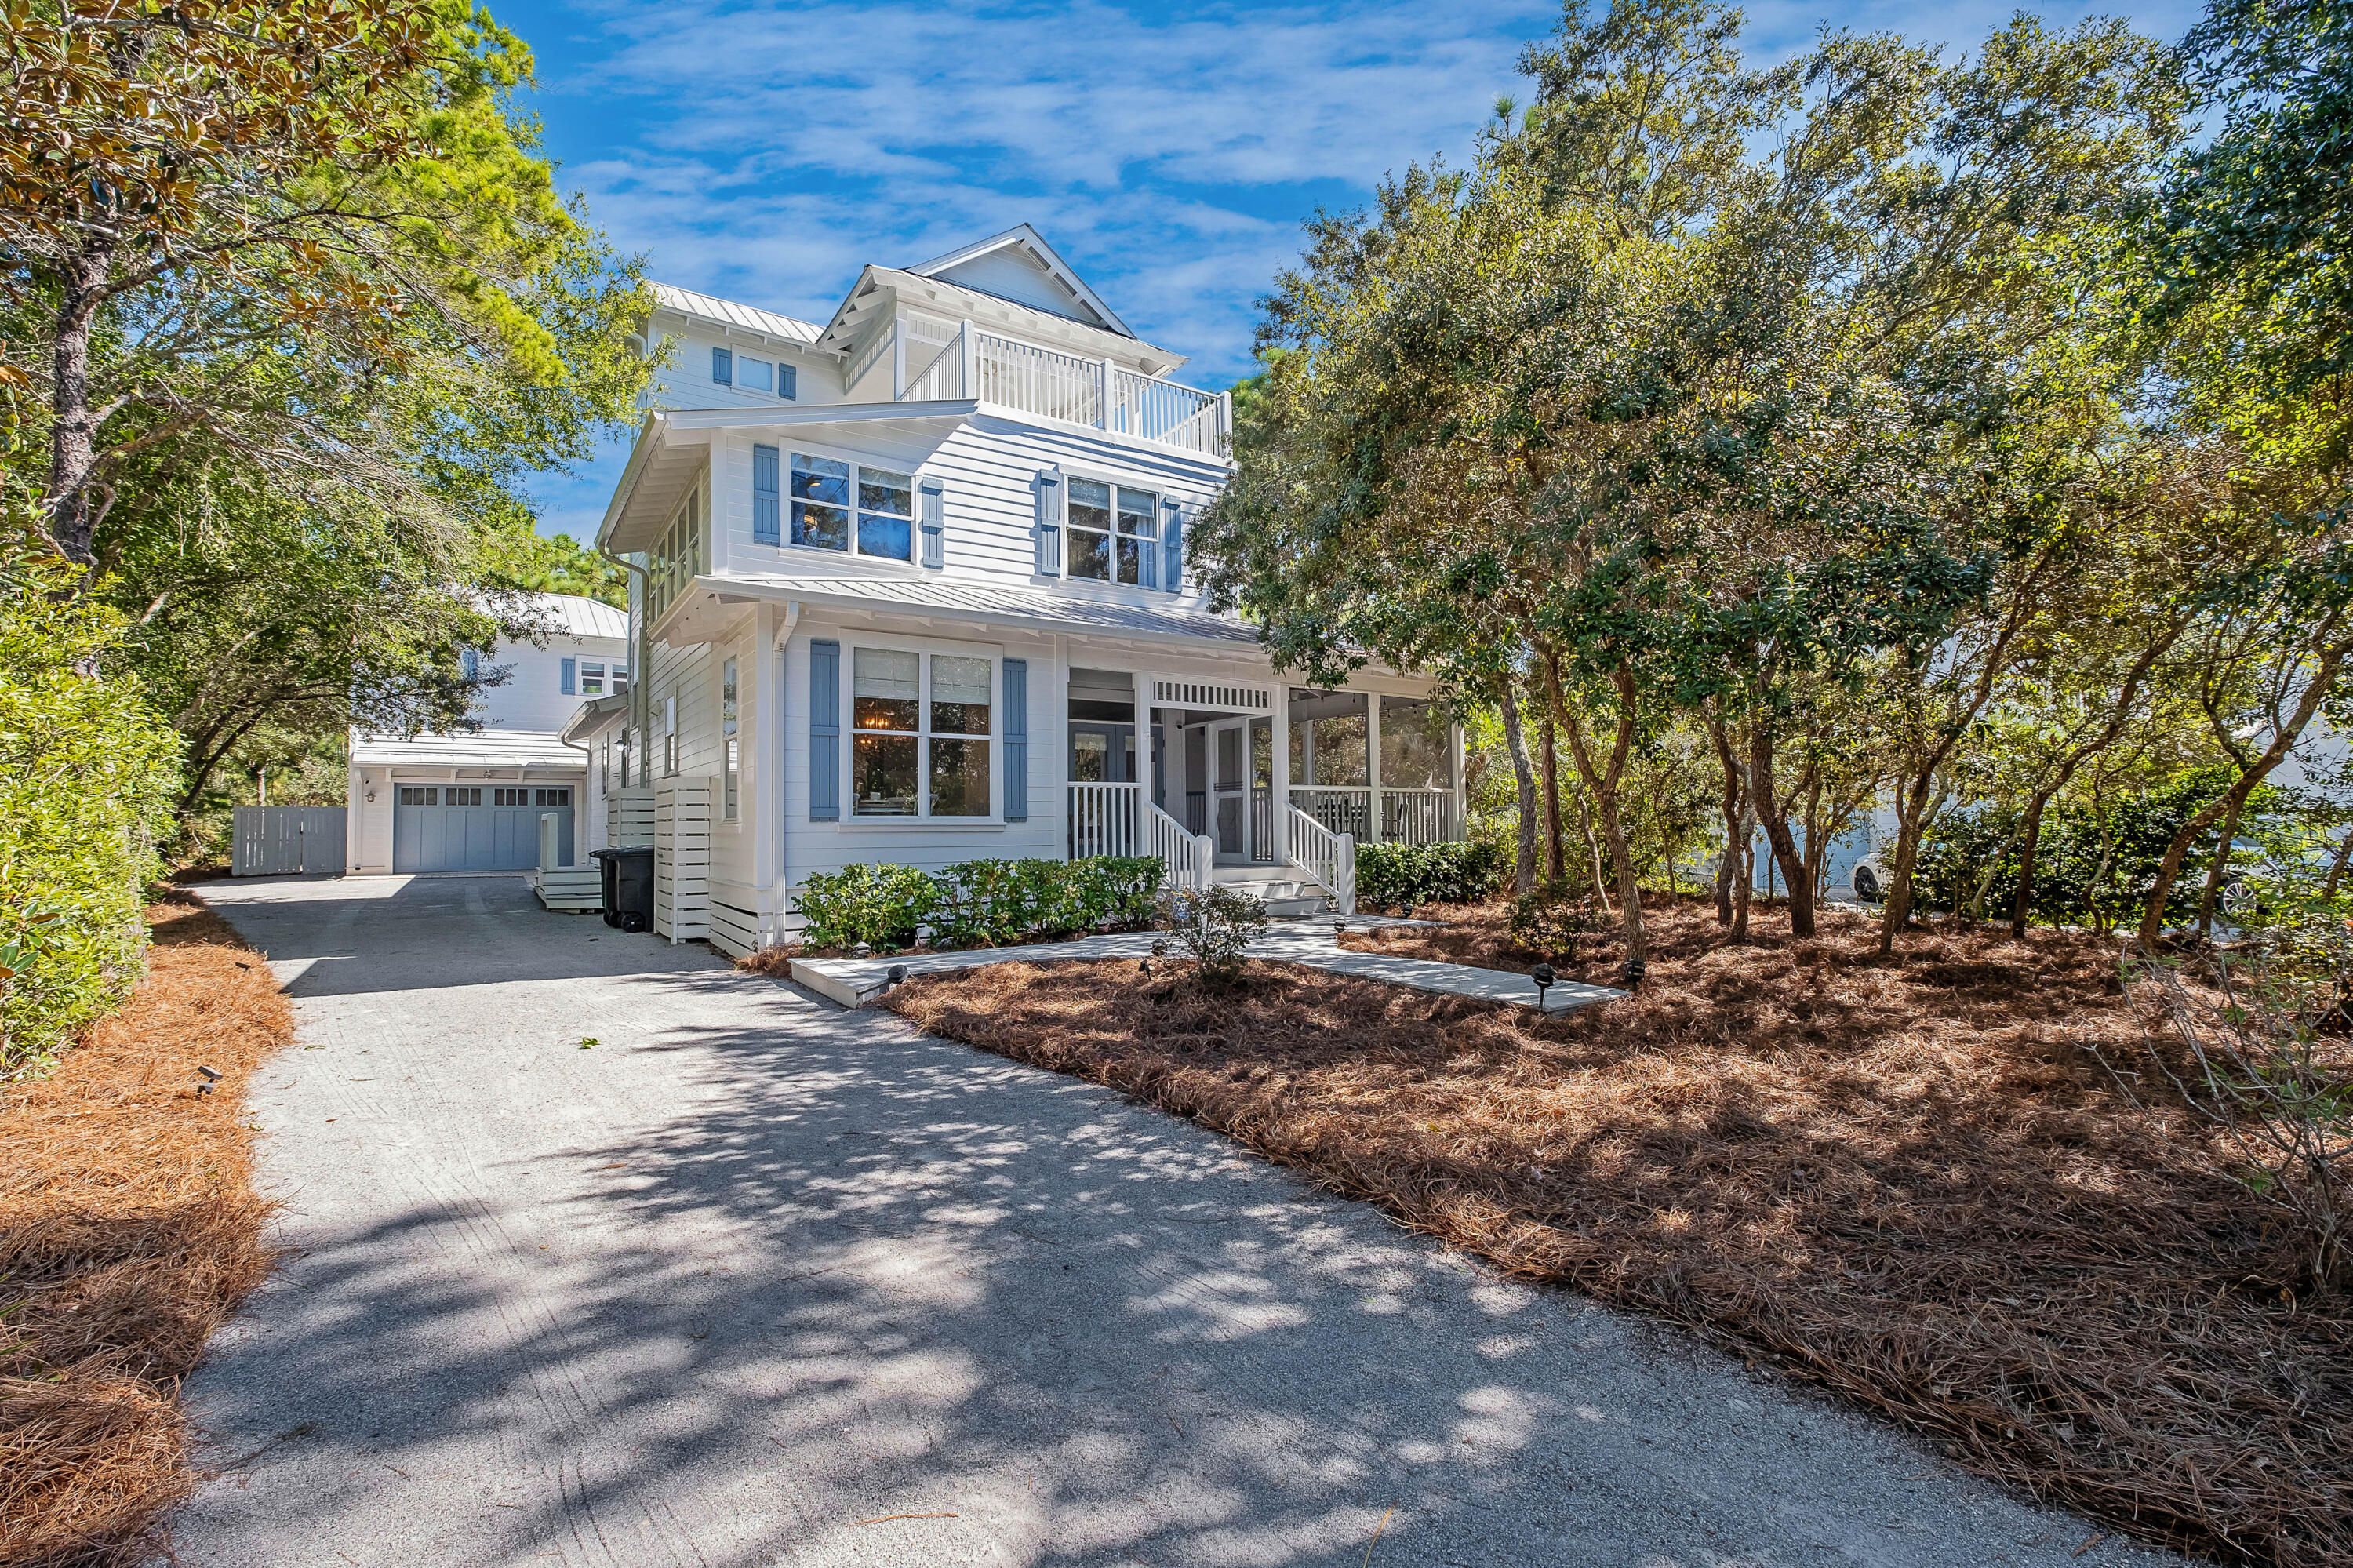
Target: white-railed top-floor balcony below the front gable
{"type": "Point", "coordinates": [952, 361]}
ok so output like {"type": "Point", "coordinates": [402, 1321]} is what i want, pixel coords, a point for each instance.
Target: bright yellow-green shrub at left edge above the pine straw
{"type": "Point", "coordinates": [86, 783]}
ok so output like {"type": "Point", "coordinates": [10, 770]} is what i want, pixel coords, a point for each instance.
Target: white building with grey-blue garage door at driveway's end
{"type": "Point", "coordinates": [472, 802]}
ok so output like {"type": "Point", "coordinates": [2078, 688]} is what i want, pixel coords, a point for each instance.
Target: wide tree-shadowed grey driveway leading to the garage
{"type": "Point", "coordinates": [759, 1282]}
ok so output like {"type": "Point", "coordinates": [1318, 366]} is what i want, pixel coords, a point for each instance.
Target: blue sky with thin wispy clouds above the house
{"type": "Point", "coordinates": [1171, 152]}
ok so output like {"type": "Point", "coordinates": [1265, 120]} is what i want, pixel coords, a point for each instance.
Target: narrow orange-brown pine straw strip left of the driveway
{"type": "Point", "coordinates": [128, 1230]}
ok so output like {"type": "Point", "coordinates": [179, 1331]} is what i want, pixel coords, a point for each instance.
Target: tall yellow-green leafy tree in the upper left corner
{"type": "Point", "coordinates": [298, 232]}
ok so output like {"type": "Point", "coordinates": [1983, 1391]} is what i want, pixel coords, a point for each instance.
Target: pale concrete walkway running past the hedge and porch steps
{"type": "Point", "coordinates": [853, 983]}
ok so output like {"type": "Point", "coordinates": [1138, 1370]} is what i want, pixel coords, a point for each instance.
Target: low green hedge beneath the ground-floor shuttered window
{"type": "Point", "coordinates": [980, 903]}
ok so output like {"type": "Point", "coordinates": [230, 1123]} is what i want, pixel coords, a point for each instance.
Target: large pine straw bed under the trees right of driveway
{"type": "Point", "coordinates": [1905, 1181]}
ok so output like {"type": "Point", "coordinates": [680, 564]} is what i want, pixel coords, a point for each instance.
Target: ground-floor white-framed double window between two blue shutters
{"type": "Point", "coordinates": [921, 733]}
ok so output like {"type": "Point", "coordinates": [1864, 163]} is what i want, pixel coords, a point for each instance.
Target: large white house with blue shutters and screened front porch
{"type": "Point", "coordinates": [912, 585]}
